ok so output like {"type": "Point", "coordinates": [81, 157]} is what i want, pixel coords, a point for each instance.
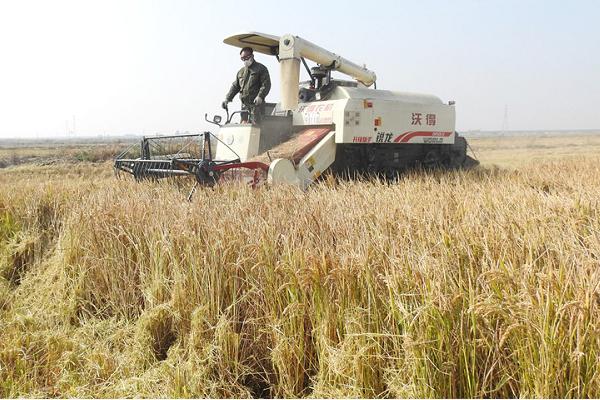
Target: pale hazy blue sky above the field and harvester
{"type": "Point", "coordinates": [158, 66]}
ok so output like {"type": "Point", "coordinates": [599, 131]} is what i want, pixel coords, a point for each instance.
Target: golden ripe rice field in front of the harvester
{"type": "Point", "coordinates": [484, 283]}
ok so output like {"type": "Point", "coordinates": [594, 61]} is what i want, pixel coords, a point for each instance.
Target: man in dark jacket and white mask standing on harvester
{"type": "Point", "coordinates": [253, 84]}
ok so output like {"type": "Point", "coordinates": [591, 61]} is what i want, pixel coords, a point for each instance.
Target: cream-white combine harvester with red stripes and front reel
{"type": "Point", "coordinates": [323, 124]}
